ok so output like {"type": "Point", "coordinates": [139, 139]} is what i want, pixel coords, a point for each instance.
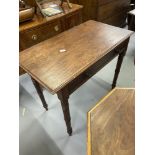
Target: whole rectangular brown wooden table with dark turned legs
{"type": "Point", "coordinates": [89, 47]}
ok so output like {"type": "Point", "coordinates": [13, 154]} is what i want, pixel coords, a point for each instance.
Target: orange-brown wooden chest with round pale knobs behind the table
{"type": "Point", "coordinates": [40, 29]}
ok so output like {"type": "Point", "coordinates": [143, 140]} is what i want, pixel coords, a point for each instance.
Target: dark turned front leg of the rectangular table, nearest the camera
{"type": "Point", "coordinates": [63, 97]}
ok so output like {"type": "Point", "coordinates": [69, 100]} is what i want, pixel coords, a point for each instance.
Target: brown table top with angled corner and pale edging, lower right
{"type": "Point", "coordinates": [111, 124]}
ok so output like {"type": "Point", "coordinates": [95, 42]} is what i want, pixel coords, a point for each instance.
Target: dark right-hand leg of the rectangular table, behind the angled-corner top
{"type": "Point", "coordinates": [118, 67]}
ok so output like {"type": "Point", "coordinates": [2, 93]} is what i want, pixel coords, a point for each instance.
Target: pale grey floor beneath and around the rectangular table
{"type": "Point", "coordinates": [44, 133]}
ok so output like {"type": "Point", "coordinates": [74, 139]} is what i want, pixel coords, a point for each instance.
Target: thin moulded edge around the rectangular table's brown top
{"type": "Point", "coordinates": [53, 91]}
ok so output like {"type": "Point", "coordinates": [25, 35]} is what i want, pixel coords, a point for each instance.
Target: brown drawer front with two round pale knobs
{"type": "Point", "coordinates": [31, 37]}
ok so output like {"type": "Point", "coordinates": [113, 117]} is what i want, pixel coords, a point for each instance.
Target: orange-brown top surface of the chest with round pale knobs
{"type": "Point", "coordinates": [39, 20]}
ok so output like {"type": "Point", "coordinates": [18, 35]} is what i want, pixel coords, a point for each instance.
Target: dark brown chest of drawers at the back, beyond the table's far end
{"type": "Point", "coordinates": [113, 12]}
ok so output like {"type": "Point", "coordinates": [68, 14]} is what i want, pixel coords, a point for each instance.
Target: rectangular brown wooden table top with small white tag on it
{"type": "Point", "coordinates": [85, 44]}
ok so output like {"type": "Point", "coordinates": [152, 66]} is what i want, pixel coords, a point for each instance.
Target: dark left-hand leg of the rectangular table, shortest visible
{"type": "Point", "coordinates": [40, 93]}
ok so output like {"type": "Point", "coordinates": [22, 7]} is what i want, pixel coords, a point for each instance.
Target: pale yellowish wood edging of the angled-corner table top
{"type": "Point", "coordinates": [89, 115]}
